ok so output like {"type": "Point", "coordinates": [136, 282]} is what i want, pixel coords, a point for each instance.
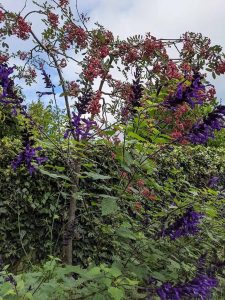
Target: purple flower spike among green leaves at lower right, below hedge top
{"type": "Point", "coordinates": [184, 226]}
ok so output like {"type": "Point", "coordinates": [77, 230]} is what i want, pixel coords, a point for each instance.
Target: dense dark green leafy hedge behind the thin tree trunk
{"type": "Point", "coordinates": [32, 209]}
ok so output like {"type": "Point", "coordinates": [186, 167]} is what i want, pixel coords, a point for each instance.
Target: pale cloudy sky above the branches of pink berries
{"type": "Point", "coordinates": [162, 18]}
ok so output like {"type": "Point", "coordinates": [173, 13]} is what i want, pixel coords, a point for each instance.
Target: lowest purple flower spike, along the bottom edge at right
{"type": "Point", "coordinates": [199, 288]}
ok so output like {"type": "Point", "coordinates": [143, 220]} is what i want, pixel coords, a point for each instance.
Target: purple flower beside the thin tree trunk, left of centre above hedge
{"type": "Point", "coordinates": [81, 127]}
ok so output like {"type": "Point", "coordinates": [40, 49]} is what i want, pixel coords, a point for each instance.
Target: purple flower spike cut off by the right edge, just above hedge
{"type": "Point", "coordinates": [204, 130]}
